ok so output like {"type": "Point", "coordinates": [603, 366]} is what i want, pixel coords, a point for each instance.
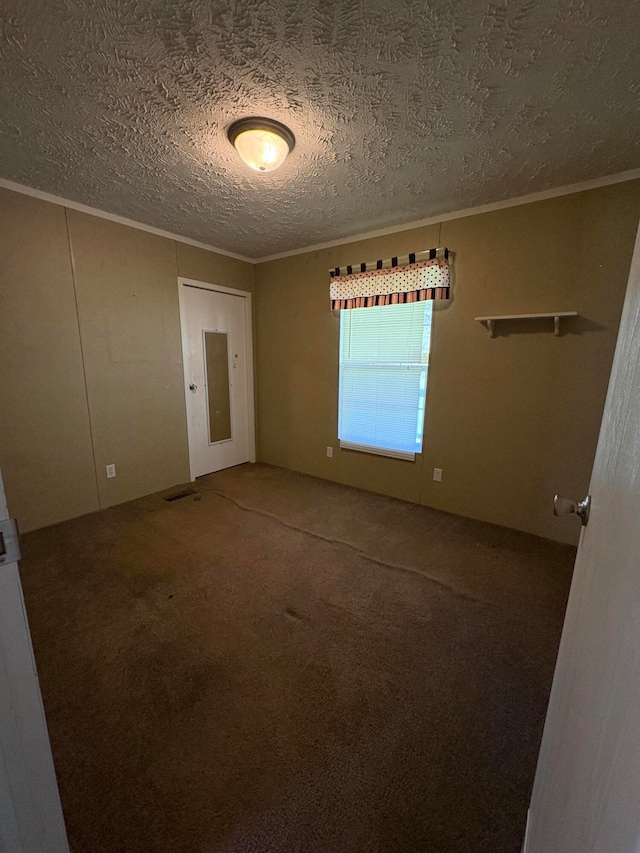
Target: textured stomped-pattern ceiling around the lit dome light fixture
{"type": "Point", "coordinates": [402, 109]}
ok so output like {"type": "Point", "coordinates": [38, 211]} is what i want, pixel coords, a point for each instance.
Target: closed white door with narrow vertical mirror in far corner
{"type": "Point", "coordinates": [216, 334]}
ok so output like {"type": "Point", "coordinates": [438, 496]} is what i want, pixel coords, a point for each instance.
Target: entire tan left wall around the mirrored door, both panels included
{"type": "Point", "coordinates": [123, 341]}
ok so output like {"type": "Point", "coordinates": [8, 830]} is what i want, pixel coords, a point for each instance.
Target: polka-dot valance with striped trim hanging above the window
{"type": "Point", "coordinates": [412, 278]}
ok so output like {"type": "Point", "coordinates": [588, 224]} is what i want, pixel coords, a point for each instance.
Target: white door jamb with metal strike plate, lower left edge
{"type": "Point", "coordinates": [30, 814]}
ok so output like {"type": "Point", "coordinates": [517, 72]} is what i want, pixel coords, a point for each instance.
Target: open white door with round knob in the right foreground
{"type": "Point", "coordinates": [586, 796]}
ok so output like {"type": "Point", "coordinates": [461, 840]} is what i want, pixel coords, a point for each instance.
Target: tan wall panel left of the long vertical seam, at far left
{"type": "Point", "coordinates": [45, 445]}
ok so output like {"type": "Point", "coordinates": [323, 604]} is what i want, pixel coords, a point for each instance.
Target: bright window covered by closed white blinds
{"type": "Point", "coordinates": [384, 355]}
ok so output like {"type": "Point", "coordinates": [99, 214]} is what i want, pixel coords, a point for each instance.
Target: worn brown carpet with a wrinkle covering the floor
{"type": "Point", "coordinates": [278, 663]}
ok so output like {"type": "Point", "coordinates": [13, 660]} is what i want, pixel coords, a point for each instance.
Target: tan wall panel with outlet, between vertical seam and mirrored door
{"type": "Point", "coordinates": [130, 327]}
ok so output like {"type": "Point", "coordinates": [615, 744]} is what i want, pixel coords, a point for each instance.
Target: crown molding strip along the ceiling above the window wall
{"type": "Point", "coordinates": [543, 195]}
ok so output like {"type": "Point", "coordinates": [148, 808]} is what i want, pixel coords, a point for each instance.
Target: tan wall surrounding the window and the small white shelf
{"type": "Point", "coordinates": [510, 420]}
